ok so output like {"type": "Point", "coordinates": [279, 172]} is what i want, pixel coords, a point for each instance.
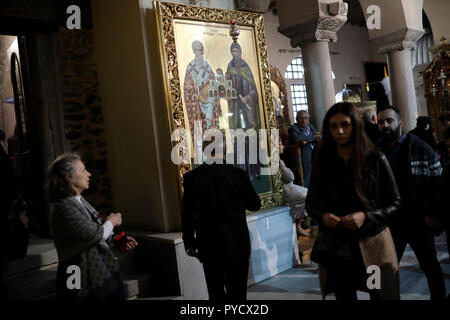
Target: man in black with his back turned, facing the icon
{"type": "Point", "coordinates": [215, 227]}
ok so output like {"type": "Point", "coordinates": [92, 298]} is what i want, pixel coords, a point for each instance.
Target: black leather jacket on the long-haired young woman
{"type": "Point", "coordinates": [330, 192]}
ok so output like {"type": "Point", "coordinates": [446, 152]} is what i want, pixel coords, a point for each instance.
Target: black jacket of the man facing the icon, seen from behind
{"type": "Point", "coordinates": [213, 211]}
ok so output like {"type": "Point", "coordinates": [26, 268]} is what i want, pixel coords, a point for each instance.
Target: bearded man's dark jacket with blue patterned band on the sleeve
{"type": "Point", "coordinates": [417, 171]}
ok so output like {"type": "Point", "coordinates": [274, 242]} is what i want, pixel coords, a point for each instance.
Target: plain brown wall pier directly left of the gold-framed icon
{"type": "Point", "coordinates": [125, 90]}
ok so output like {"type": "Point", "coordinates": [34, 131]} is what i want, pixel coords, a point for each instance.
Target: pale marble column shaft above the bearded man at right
{"type": "Point", "coordinates": [402, 86]}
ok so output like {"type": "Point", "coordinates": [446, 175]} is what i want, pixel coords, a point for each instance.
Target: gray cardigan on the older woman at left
{"type": "Point", "coordinates": [75, 234]}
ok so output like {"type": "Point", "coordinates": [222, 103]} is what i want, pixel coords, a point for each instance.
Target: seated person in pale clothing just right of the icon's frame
{"type": "Point", "coordinates": [295, 195]}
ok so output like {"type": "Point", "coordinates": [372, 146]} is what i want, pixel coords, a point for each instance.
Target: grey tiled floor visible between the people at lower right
{"type": "Point", "coordinates": [301, 282]}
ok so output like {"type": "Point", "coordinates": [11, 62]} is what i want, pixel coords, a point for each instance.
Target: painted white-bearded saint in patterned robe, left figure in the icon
{"type": "Point", "coordinates": [199, 104]}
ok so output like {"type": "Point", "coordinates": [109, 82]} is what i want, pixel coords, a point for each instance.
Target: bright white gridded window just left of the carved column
{"type": "Point", "coordinates": [295, 75]}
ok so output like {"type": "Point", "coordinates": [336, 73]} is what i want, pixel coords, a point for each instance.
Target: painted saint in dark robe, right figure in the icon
{"type": "Point", "coordinates": [246, 102]}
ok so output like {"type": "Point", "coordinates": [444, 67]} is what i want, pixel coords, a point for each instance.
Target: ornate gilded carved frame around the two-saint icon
{"type": "Point", "coordinates": [166, 13]}
